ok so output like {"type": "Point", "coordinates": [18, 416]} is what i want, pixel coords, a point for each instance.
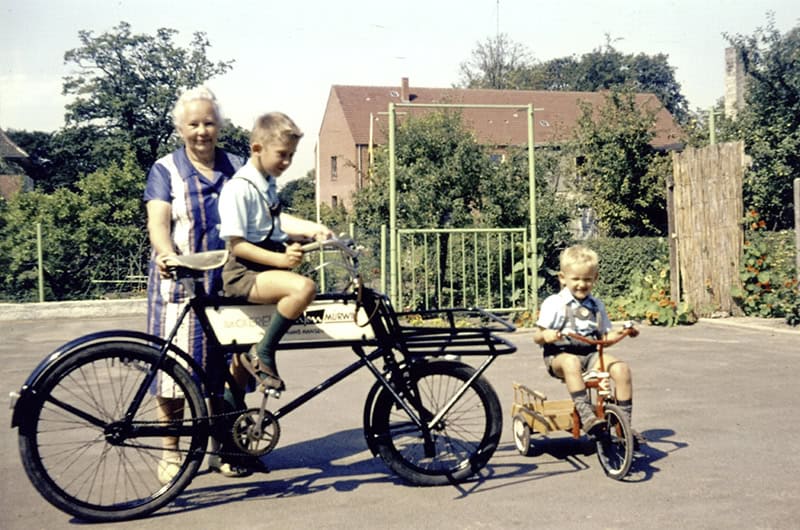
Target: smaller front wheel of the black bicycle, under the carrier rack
{"type": "Point", "coordinates": [463, 442]}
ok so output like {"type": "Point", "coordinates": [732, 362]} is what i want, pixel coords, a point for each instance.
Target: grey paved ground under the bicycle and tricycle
{"type": "Point", "coordinates": [719, 403]}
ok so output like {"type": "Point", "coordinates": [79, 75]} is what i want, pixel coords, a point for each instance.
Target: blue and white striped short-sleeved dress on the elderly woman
{"type": "Point", "coordinates": [195, 228]}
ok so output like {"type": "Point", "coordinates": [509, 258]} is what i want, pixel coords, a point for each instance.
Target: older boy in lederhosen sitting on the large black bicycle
{"type": "Point", "coordinates": [258, 234]}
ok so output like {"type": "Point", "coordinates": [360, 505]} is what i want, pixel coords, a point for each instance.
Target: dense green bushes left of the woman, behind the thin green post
{"type": "Point", "coordinates": [95, 233]}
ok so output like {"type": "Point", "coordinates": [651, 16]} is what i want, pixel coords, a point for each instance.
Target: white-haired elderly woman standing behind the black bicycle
{"type": "Point", "coordinates": [182, 218]}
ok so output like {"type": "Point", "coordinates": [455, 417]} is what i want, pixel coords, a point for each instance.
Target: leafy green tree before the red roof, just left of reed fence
{"type": "Point", "coordinates": [620, 176]}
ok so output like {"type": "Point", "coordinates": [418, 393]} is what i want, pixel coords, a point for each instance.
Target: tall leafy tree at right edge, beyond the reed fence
{"type": "Point", "coordinates": [770, 121]}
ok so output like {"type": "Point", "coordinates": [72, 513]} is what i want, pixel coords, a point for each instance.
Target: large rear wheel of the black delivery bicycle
{"type": "Point", "coordinates": [72, 462]}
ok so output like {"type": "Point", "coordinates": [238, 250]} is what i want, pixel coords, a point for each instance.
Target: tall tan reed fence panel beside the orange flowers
{"type": "Point", "coordinates": [707, 211]}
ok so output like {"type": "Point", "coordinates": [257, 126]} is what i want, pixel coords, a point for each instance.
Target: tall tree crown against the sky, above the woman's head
{"type": "Point", "coordinates": [126, 84]}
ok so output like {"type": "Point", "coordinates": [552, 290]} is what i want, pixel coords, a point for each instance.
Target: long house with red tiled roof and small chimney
{"type": "Point", "coordinates": [356, 118]}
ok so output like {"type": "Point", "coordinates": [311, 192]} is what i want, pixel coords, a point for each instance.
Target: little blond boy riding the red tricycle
{"type": "Point", "coordinates": [575, 310]}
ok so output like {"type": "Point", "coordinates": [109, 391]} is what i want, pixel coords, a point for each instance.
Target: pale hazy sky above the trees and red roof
{"type": "Point", "coordinates": [288, 54]}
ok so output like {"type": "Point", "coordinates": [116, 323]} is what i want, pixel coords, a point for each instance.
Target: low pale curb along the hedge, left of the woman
{"type": "Point", "coordinates": [74, 309]}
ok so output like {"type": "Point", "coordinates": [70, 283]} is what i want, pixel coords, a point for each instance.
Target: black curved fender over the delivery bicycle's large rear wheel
{"type": "Point", "coordinates": [28, 391]}
